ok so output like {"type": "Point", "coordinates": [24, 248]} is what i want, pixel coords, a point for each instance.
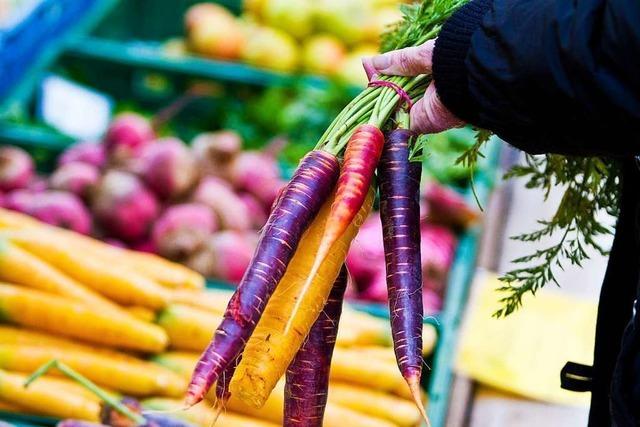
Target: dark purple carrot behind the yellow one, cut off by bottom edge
{"type": "Point", "coordinates": [307, 379]}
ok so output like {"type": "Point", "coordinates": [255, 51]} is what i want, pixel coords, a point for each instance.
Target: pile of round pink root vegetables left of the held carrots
{"type": "Point", "coordinates": [201, 204]}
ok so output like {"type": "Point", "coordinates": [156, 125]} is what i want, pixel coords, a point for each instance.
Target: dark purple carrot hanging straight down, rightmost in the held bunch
{"type": "Point", "coordinates": [399, 180]}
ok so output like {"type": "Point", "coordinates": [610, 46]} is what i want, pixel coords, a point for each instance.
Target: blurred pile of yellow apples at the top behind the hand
{"type": "Point", "coordinates": [327, 37]}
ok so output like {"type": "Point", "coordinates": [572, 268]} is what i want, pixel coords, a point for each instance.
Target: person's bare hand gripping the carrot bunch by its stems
{"type": "Point", "coordinates": [428, 115]}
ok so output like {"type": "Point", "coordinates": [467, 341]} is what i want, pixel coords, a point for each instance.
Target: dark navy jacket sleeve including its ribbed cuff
{"type": "Point", "coordinates": [546, 75]}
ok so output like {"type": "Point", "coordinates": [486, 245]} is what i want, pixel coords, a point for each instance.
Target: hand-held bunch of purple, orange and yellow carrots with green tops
{"type": "Point", "coordinates": [283, 317]}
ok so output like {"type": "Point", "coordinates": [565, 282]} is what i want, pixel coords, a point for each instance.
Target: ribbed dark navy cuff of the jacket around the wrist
{"type": "Point", "coordinates": [449, 56]}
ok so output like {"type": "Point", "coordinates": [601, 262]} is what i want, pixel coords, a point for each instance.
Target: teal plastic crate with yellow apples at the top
{"type": "Point", "coordinates": [132, 34]}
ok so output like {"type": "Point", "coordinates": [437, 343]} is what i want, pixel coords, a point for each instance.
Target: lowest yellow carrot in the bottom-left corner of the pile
{"type": "Point", "coordinates": [46, 397]}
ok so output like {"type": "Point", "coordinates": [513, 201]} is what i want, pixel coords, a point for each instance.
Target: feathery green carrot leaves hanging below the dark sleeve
{"type": "Point", "coordinates": [591, 187]}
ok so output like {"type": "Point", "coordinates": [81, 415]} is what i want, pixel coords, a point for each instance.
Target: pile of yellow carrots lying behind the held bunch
{"type": "Point", "coordinates": [135, 325]}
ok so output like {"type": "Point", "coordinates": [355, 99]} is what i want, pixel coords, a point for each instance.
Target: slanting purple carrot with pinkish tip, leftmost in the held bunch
{"type": "Point", "coordinates": [298, 205]}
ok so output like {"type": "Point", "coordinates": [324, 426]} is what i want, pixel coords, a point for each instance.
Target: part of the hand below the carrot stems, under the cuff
{"type": "Point", "coordinates": [429, 114]}
